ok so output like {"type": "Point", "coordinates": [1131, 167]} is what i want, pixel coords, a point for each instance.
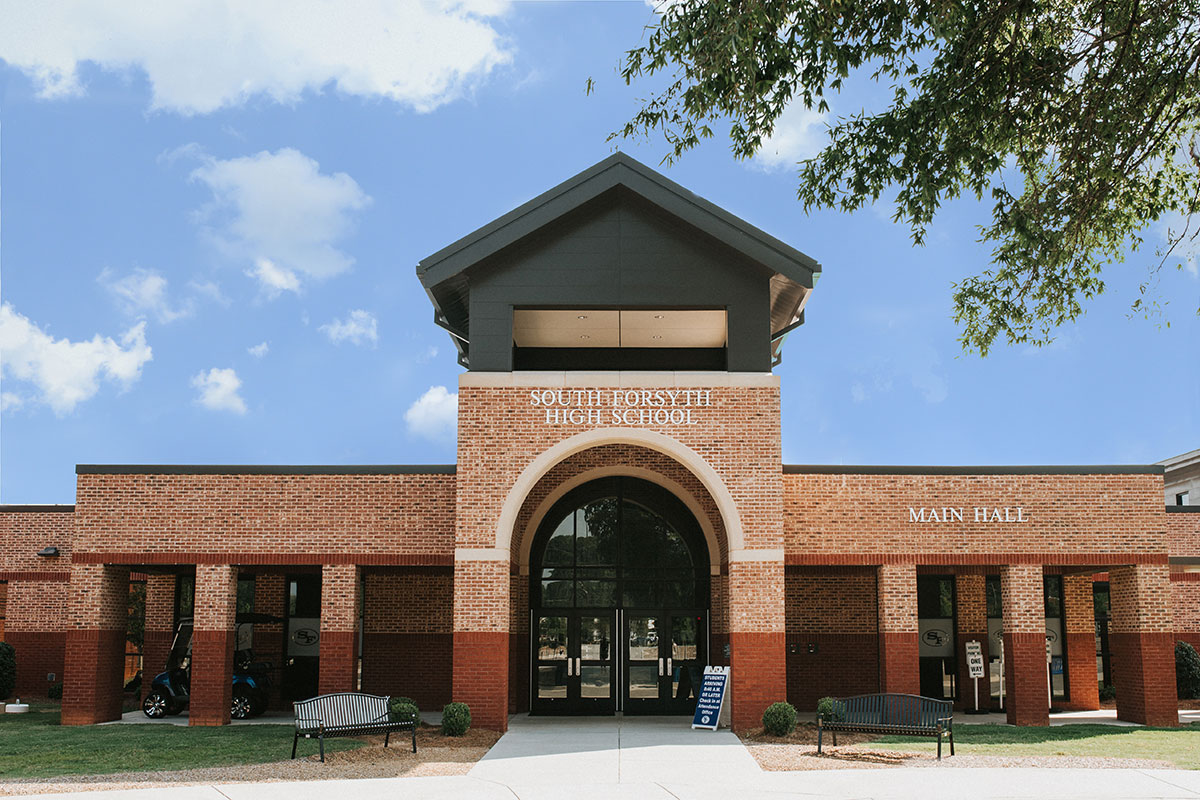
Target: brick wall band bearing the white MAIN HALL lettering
{"type": "Point", "coordinates": [1071, 519]}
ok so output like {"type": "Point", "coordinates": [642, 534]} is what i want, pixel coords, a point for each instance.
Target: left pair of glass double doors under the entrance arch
{"type": "Point", "coordinates": [574, 663]}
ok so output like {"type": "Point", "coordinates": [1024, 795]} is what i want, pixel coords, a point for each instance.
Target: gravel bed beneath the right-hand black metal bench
{"type": "Point", "coordinates": [799, 751]}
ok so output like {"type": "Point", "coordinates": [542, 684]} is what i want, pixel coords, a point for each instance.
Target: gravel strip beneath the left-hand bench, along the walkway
{"type": "Point", "coordinates": [436, 755]}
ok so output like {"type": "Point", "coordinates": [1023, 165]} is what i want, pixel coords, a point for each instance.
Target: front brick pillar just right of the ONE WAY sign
{"type": "Point", "coordinates": [1027, 691]}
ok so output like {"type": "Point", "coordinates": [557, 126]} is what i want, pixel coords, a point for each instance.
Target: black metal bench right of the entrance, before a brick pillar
{"type": "Point", "coordinates": [905, 715]}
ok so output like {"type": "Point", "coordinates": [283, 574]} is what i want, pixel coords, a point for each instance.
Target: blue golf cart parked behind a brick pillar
{"type": "Point", "coordinates": [170, 693]}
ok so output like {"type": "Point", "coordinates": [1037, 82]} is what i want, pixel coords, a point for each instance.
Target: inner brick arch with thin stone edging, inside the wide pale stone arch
{"type": "Point", "coordinates": [559, 482]}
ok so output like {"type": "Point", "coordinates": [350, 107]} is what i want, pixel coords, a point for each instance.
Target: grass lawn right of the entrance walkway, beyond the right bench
{"type": "Point", "coordinates": [1178, 745]}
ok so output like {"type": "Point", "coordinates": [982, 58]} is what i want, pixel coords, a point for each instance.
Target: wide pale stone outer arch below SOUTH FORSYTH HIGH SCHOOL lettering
{"type": "Point", "coordinates": [693, 462]}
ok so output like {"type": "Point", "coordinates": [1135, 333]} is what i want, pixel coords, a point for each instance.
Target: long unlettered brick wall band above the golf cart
{"type": "Point", "coordinates": [266, 519]}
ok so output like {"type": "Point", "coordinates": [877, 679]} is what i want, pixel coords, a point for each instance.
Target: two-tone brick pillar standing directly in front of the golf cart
{"type": "Point", "coordinates": [214, 637]}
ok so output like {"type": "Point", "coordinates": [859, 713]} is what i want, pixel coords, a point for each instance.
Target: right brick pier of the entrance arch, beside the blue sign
{"type": "Point", "coordinates": [758, 635]}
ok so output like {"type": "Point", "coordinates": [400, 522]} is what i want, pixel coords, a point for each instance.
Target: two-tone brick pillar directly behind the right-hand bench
{"type": "Point", "coordinates": [899, 657]}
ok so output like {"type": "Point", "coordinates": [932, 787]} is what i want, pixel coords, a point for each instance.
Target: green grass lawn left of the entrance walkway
{"type": "Point", "coordinates": [35, 745]}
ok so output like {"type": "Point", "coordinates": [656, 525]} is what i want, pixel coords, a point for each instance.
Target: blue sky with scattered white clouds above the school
{"type": "Point", "coordinates": [211, 220]}
